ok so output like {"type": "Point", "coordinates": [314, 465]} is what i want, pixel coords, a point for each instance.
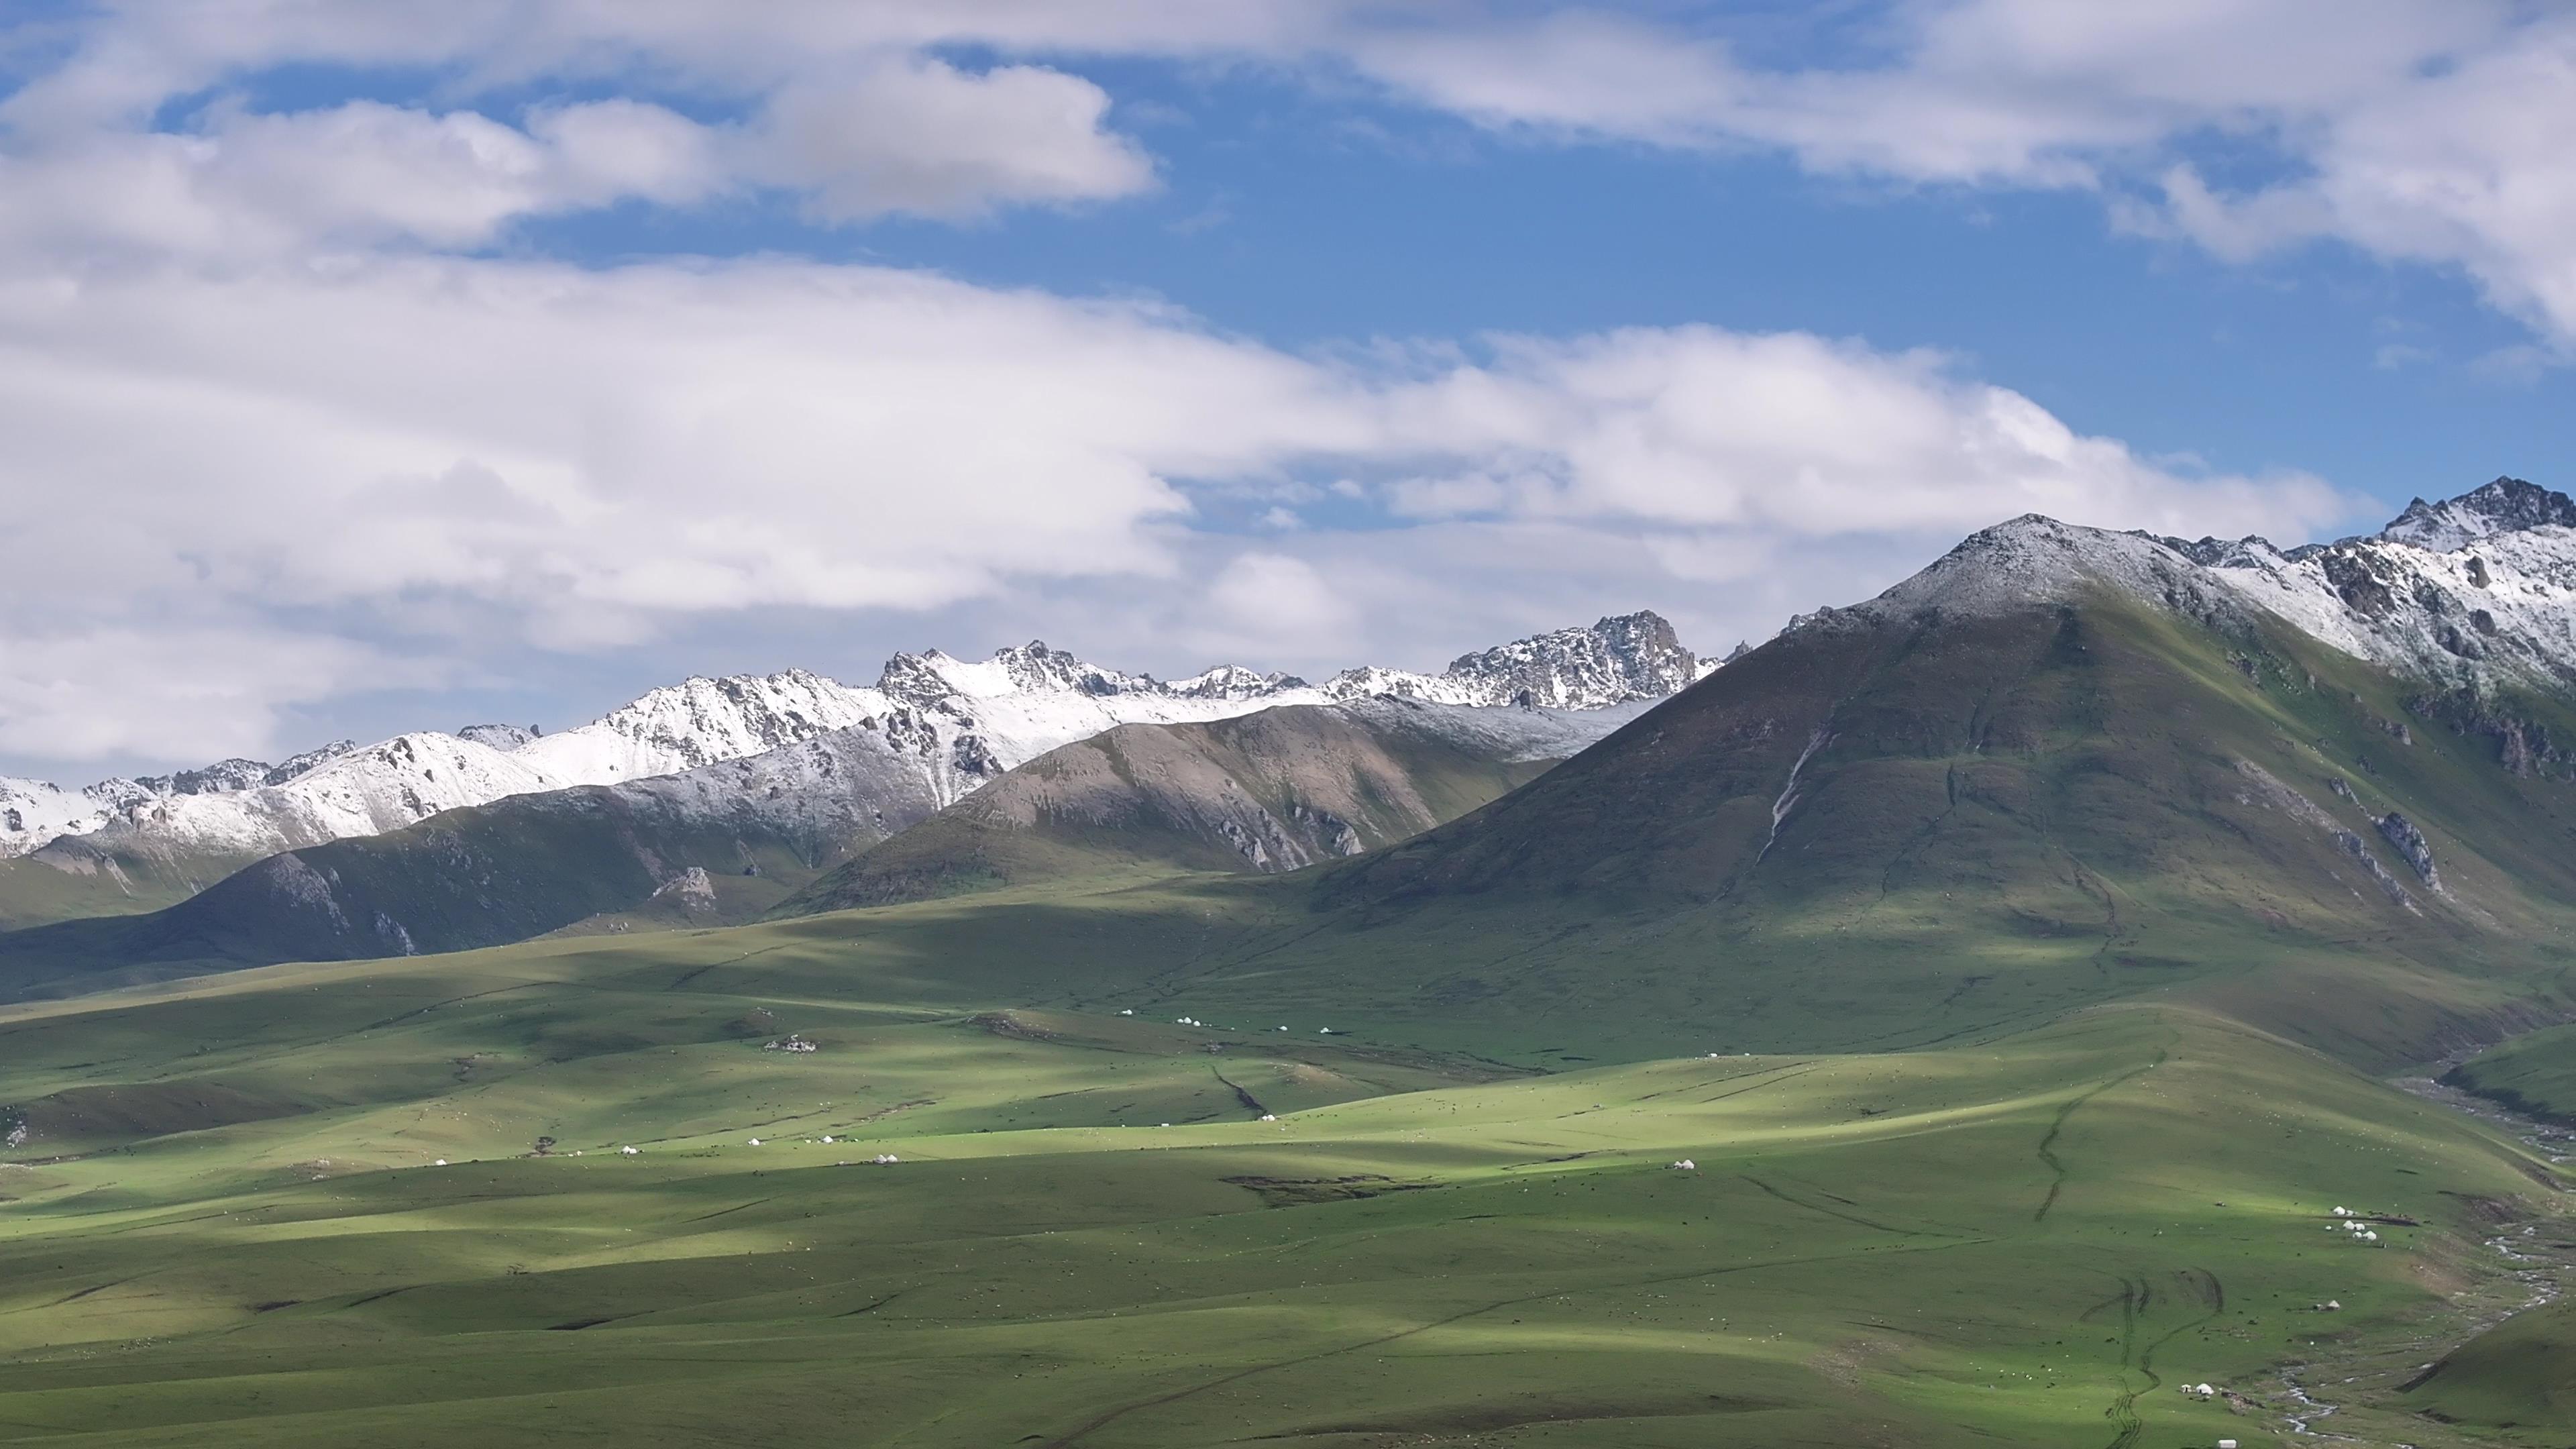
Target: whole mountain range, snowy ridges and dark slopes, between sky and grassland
{"type": "Point", "coordinates": [2116, 752]}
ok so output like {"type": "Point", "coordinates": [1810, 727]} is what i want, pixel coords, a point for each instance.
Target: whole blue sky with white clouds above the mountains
{"type": "Point", "coordinates": [383, 373]}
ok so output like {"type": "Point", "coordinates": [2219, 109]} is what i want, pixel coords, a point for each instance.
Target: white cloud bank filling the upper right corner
{"type": "Point", "coordinates": [2415, 130]}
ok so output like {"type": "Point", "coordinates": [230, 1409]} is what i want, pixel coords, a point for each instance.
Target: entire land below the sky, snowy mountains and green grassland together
{"type": "Point", "coordinates": [2101, 991]}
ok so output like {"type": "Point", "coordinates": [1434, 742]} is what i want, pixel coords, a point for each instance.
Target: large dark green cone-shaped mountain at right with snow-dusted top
{"type": "Point", "coordinates": [2052, 770]}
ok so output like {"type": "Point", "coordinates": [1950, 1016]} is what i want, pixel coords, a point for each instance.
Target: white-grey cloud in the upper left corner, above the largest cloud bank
{"type": "Point", "coordinates": [857, 122]}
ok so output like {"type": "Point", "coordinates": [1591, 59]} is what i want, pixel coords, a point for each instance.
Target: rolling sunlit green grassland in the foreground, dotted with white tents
{"type": "Point", "coordinates": [228, 1226]}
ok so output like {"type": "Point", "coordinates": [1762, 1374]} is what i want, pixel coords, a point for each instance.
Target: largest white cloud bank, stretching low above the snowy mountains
{"type": "Point", "coordinates": [504, 455]}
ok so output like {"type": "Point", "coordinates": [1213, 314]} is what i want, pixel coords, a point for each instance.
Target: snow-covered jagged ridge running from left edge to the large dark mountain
{"type": "Point", "coordinates": [965, 721]}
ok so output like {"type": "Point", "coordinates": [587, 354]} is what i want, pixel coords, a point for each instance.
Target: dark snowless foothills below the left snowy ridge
{"type": "Point", "coordinates": [1261, 793]}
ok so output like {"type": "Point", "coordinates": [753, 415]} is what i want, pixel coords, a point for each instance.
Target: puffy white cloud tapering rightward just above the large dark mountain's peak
{"type": "Point", "coordinates": [1709, 429]}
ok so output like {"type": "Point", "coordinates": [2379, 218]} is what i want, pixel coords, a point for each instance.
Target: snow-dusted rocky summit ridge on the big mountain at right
{"type": "Point", "coordinates": [2461, 594]}
